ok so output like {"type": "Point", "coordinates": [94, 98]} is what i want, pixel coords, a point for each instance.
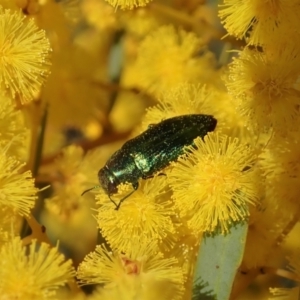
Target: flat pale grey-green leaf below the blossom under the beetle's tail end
{"type": "Point", "coordinates": [218, 260]}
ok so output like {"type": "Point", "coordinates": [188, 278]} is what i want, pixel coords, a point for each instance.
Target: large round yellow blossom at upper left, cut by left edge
{"type": "Point", "coordinates": [24, 51]}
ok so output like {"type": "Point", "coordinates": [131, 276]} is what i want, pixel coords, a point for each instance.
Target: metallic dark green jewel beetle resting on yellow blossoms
{"type": "Point", "coordinates": [152, 151]}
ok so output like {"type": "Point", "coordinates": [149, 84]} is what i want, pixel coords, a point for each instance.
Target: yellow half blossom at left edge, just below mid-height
{"type": "Point", "coordinates": [17, 190]}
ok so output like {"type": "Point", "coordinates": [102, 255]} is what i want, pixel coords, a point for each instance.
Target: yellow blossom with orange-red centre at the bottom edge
{"type": "Point", "coordinates": [144, 275]}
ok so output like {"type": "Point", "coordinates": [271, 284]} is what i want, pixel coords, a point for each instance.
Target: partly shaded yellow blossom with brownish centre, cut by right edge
{"type": "Point", "coordinates": [264, 87]}
